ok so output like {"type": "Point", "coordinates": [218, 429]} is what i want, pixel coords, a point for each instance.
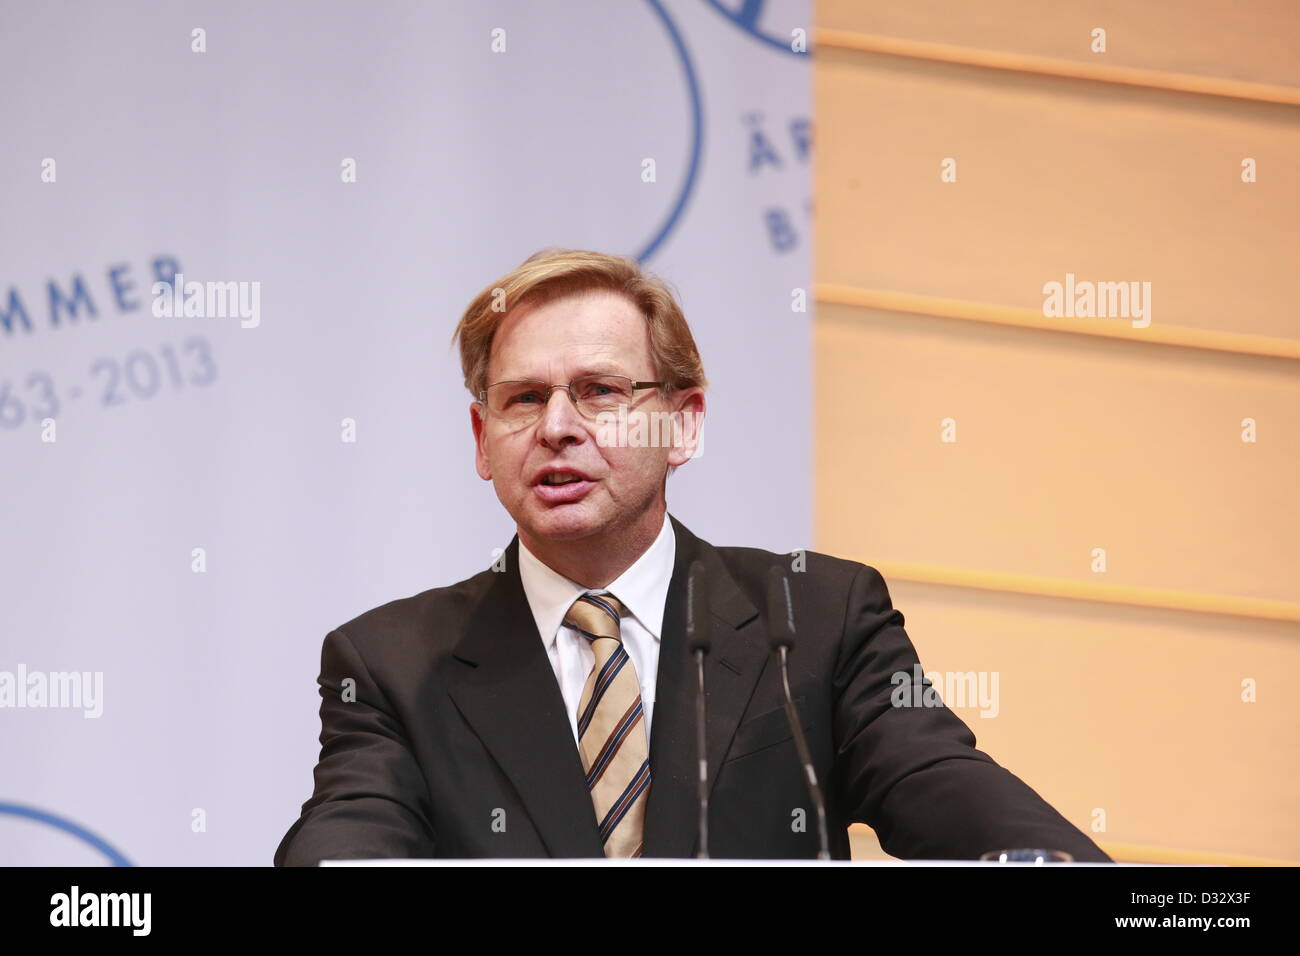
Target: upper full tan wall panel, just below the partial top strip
{"type": "Point", "coordinates": [1055, 178]}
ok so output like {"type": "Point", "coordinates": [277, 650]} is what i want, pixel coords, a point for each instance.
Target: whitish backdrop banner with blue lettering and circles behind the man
{"type": "Point", "coordinates": [184, 517]}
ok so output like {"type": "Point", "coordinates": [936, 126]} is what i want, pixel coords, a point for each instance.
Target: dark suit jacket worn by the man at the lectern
{"type": "Point", "coordinates": [458, 743]}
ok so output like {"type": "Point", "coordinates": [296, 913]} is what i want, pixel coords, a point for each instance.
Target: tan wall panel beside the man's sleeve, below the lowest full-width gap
{"type": "Point", "coordinates": [1130, 711]}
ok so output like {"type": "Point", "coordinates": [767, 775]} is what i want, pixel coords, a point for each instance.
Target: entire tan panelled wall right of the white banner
{"type": "Point", "coordinates": [1067, 443]}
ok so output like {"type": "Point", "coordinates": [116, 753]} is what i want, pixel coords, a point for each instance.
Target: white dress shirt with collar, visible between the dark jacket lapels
{"type": "Point", "coordinates": [643, 590]}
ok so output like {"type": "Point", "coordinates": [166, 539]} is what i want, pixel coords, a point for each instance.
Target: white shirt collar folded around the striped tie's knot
{"type": "Point", "coordinates": [643, 589]}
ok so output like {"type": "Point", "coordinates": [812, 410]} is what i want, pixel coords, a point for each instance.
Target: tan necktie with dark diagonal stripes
{"type": "Point", "coordinates": [612, 729]}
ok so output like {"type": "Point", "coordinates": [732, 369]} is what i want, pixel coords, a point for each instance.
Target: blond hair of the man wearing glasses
{"type": "Point", "coordinates": [553, 274]}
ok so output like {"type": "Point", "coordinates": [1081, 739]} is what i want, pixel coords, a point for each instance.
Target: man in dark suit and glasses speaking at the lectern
{"type": "Point", "coordinates": [545, 707]}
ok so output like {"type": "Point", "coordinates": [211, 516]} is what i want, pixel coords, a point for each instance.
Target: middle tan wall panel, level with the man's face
{"type": "Point", "coordinates": [1064, 444]}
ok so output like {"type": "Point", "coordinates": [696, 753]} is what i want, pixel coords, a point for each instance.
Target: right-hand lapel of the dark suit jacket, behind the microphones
{"type": "Point", "coordinates": [731, 672]}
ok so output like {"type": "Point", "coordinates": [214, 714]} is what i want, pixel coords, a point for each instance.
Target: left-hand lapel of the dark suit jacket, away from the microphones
{"type": "Point", "coordinates": [506, 689]}
